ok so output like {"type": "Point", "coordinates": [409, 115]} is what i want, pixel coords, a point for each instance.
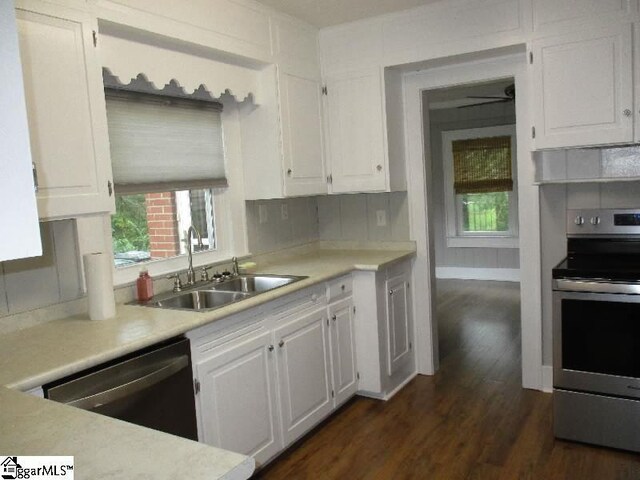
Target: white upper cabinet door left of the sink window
{"type": "Point", "coordinates": [65, 107]}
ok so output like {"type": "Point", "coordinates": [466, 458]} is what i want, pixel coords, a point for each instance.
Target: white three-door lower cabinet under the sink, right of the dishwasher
{"type": "Point", "coordinates": [266, 377]}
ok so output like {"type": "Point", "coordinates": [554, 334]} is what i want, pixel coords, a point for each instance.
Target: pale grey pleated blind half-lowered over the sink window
{"type": "Point", "coordinates": [161, 144]}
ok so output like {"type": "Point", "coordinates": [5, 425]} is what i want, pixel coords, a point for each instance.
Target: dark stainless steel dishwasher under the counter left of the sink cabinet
{"type": "Point", "coordinates": [152, 388]}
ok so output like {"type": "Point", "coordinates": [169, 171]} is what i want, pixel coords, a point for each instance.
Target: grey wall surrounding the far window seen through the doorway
{"type": "Point", "coordinates": [457, 119]}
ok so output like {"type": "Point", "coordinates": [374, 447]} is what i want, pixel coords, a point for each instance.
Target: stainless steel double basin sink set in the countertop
{"type": "Point", "coordinates": [214, 295]}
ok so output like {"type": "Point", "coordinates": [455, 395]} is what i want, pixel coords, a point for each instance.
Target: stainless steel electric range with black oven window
{"type": "Point", "coordinates": [596, 330]}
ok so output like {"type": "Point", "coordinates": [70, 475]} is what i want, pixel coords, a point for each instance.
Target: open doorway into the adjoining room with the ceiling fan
{"type": "Point", "coordinates": [473, 151]}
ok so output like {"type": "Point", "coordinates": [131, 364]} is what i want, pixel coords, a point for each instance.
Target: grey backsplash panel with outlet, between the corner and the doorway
{"type": "Point", "coordinates": [354, 217]}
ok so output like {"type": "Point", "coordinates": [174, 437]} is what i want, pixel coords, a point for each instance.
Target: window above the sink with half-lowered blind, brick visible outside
{"type": "Point", "coordinates": [167, 156]}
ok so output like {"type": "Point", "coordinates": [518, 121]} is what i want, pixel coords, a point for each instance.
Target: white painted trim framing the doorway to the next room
{"type": "Point", "coordinates": [529, 208]}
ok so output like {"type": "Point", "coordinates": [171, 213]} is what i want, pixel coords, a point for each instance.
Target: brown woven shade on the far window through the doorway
{"type": "Point", "coordinates": [482, 165]}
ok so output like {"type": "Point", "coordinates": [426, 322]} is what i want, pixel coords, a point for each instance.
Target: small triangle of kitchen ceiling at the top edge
{"type": "Point", "coordinates": [325, 13]}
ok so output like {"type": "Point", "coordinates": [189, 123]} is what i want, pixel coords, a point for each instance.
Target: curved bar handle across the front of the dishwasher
{"type": "Point", "coordinates": [111, 395]}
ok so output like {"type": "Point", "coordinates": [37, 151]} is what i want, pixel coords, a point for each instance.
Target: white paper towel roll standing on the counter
{"type": "Point", "coordinates": [98, 273]}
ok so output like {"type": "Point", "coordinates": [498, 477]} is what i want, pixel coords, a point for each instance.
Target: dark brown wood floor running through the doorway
{"type": "Point", "coordinates": [472, 420]}
